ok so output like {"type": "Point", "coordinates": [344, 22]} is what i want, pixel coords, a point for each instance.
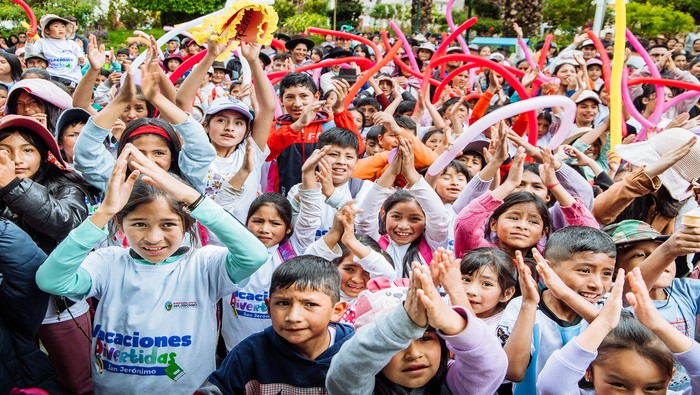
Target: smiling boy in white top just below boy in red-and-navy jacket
{"type": "Point", "coordinates": [335, 169]}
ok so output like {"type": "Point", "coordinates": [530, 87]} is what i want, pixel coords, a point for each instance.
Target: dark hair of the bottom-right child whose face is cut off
{"type": "Point", "coordinates": [631, 334]}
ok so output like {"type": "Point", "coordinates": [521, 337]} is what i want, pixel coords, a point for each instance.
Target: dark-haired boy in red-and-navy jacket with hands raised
{"type": "Point", "coordinates": [294, 135]}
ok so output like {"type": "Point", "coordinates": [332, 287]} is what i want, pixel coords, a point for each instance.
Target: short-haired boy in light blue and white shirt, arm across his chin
{"type": "Point", "coordinates": [578, 272]}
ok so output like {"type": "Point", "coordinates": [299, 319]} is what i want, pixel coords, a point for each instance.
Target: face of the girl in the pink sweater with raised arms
{"type": "Point", "coordinates": [520, 227]}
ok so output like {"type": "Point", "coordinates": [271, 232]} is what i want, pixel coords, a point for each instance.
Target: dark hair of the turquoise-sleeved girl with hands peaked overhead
{"type": "Point", "coordinates": [143, 194]}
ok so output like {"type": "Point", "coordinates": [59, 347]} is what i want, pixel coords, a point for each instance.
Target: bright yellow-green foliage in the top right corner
{"type": "Point", "coordinates": [651, 20]}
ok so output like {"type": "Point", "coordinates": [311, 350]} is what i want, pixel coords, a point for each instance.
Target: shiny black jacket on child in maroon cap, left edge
{"type": "Point", "coordinates": [47, 213]}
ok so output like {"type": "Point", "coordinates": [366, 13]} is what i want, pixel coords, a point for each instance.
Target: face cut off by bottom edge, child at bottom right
{"type": "Point", "coordinates": [626, 371]}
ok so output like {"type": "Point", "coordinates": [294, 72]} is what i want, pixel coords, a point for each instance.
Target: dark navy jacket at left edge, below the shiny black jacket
{"type": "Point", "coordinates": [22, 309]}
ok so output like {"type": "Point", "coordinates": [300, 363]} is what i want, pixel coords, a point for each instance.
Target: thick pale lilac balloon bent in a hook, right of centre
{"type": "Point", "coordinates": [510, 110]}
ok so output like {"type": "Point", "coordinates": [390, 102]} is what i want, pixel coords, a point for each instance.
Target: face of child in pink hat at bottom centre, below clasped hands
{"type": "Point", "coordinates": [416, 365]}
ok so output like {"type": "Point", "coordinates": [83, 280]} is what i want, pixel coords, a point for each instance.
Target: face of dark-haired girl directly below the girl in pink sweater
{"type": "Point", "coordinates": [484, 292]}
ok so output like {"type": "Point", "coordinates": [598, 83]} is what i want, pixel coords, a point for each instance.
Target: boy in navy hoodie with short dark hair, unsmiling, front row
{"type": "Point", "coordinates": [294, 354]}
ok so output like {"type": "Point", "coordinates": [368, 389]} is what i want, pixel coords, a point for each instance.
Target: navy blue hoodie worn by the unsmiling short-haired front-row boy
{"type": "Point", "coordinates": [267, 362]}
